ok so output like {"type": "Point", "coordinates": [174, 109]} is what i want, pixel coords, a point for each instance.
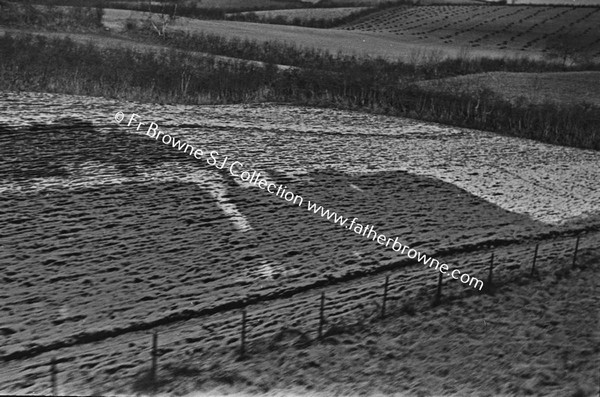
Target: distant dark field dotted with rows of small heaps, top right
{"type": "Point", "coordinates": [496, 28]}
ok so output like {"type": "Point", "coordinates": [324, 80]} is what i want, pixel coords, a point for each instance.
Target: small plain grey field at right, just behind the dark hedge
{"type": "Point", "coordinates": [565, 87]}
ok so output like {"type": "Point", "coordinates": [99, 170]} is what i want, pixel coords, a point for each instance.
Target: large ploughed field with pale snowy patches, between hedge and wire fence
{"type": "Point", "coordinates": [108, 235]}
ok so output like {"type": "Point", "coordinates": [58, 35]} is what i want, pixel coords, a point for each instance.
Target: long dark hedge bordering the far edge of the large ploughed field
{"type": "Point", "coordinates": [60, 65]}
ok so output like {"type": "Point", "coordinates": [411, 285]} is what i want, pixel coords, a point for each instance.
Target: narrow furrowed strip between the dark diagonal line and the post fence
{"type": "Point", "coordinates": [345, 305]}
